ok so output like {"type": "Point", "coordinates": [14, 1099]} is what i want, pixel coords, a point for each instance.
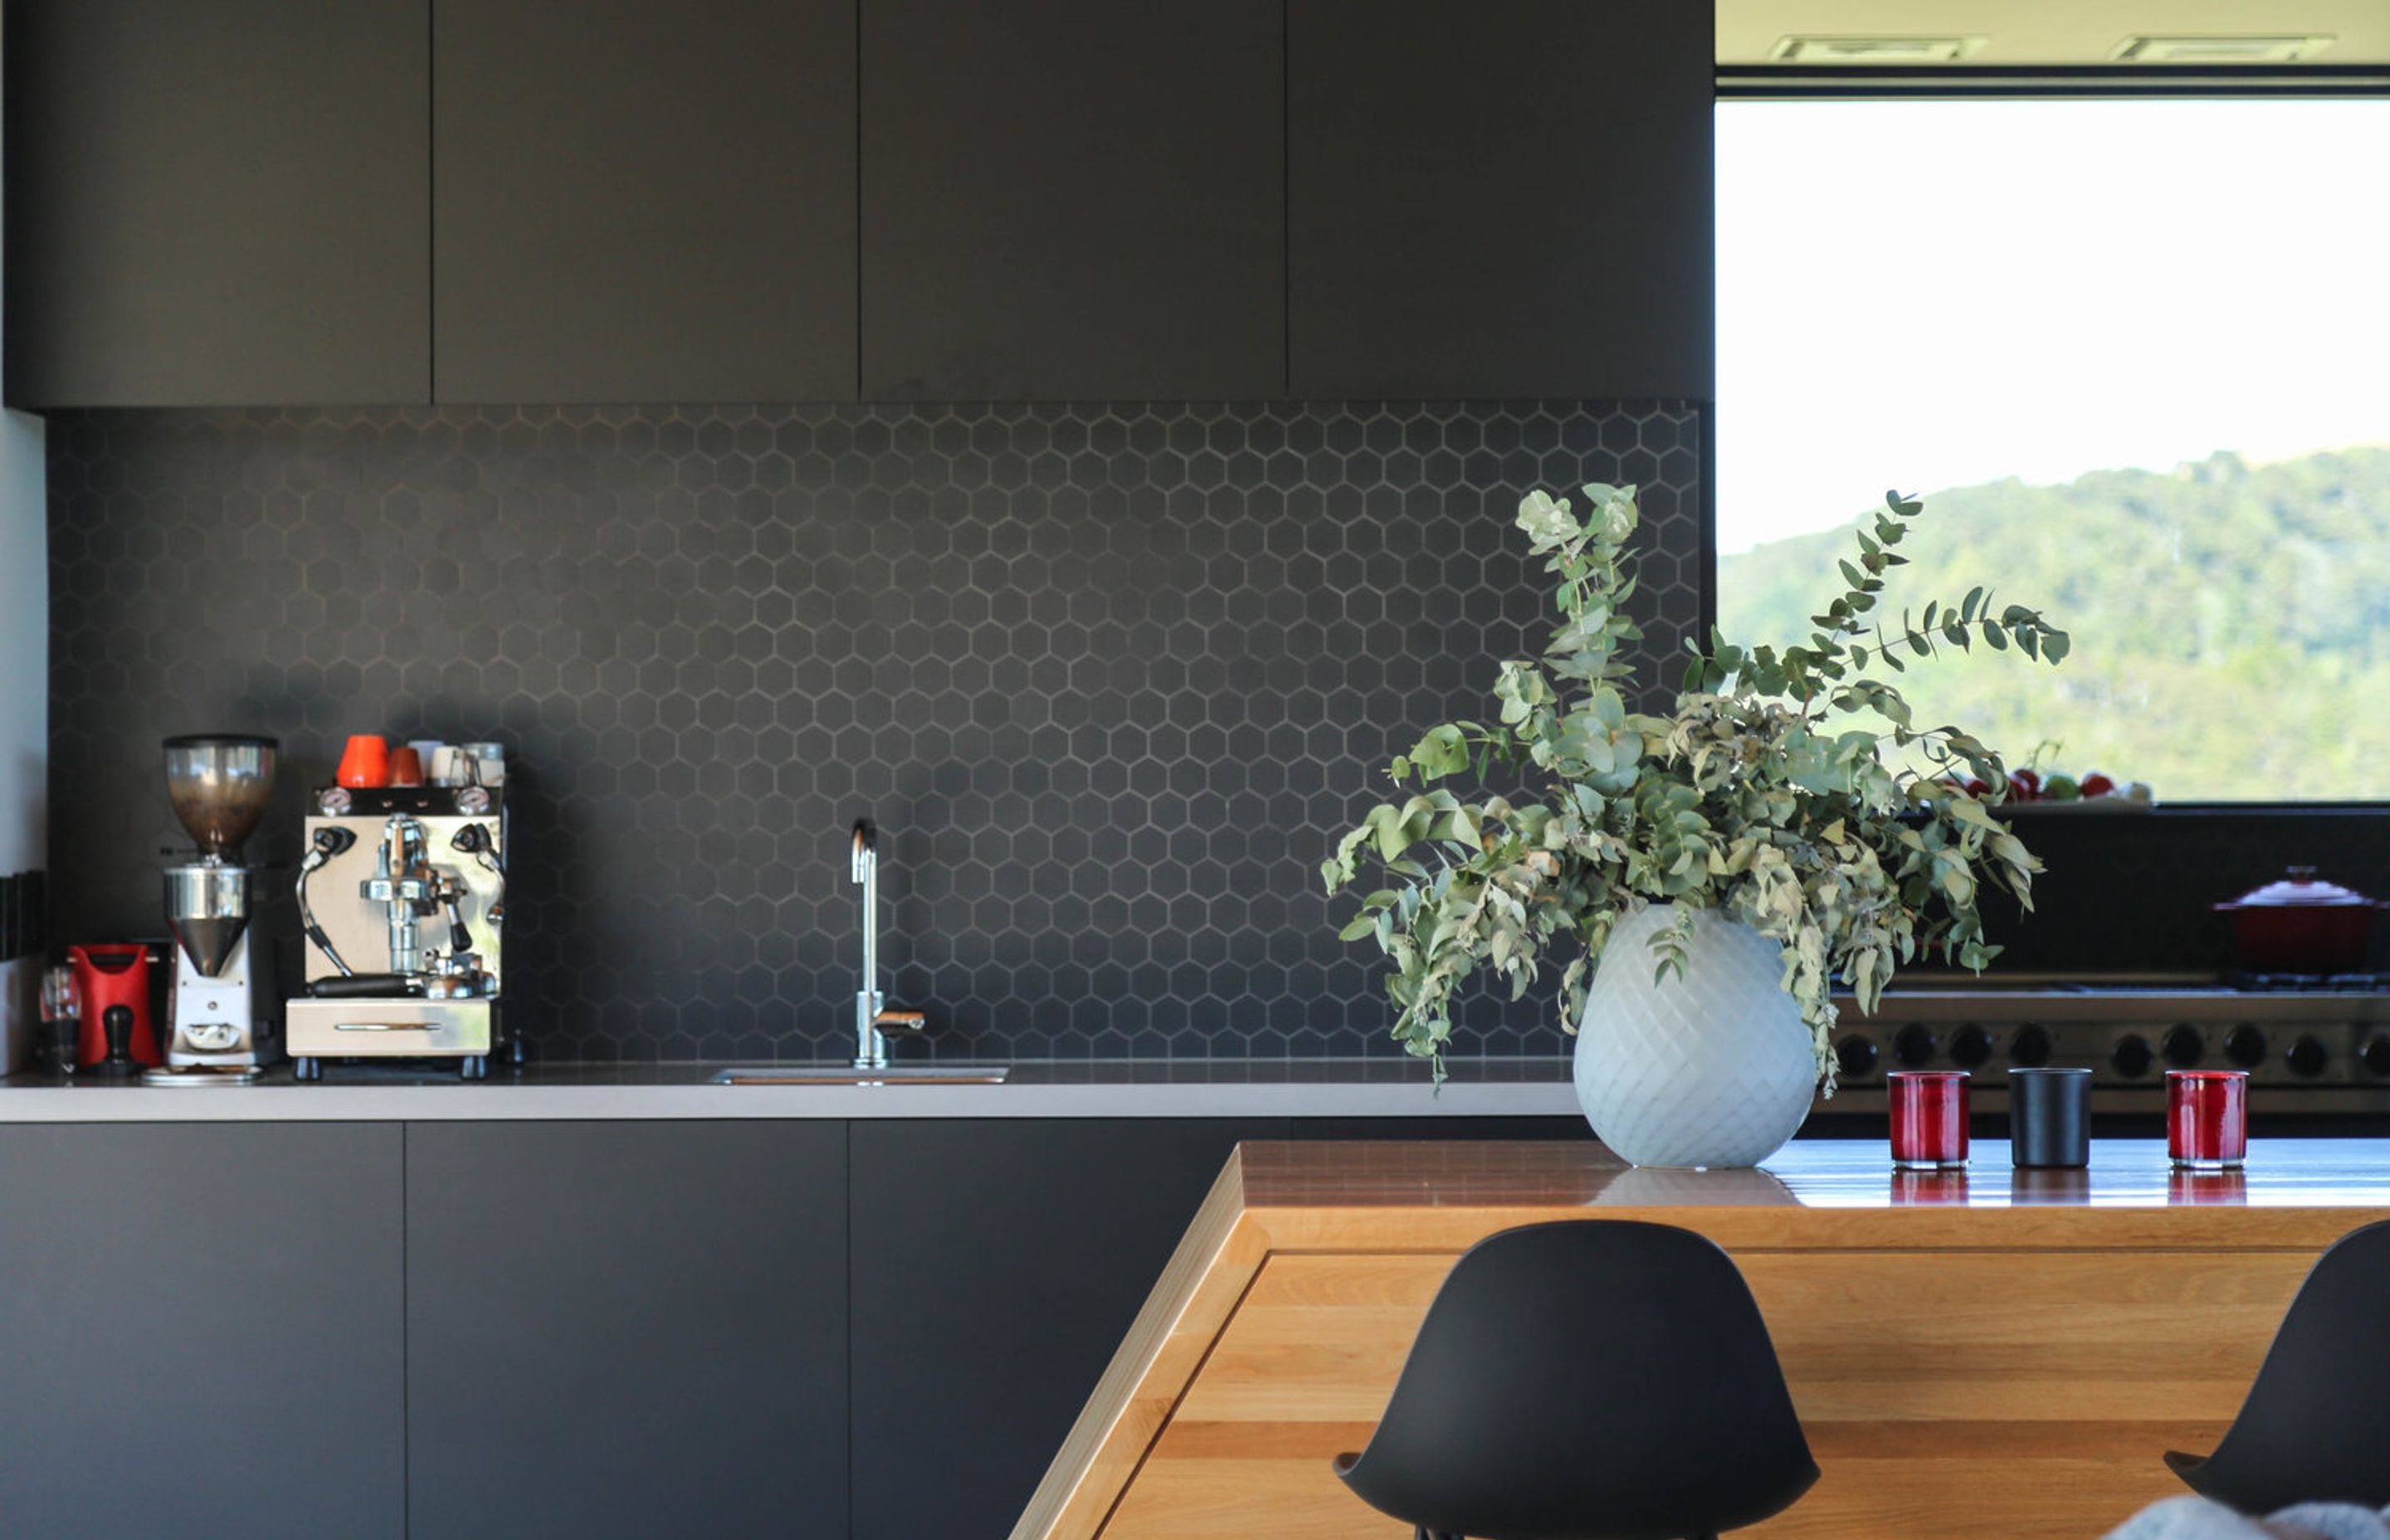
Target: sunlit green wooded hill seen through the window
{"type": "Point", "coordinates": [2231, 623]}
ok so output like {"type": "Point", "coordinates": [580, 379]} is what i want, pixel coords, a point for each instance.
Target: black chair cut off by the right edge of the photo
{"type": "Point", "coordinates": [2317, 1422]}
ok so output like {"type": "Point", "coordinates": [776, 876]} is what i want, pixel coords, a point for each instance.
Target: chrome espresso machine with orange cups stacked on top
{"type": "Point", "coordinates": [403, 898]}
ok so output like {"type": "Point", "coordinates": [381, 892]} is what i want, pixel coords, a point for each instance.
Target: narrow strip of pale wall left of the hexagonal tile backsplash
{"type": "Point", "coordinates": [25, 695]}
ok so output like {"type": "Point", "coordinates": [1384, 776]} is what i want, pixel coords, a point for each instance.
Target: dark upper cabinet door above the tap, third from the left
{"type": "Point", "coordinates": [1072, 200]}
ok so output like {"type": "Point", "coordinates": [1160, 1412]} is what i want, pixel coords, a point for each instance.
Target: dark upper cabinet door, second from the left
{"type": "Point", "coordinates": [646, 202]}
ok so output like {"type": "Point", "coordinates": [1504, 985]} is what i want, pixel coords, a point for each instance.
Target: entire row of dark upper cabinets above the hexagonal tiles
{"type": "Point", "coordinates": [388, 202]}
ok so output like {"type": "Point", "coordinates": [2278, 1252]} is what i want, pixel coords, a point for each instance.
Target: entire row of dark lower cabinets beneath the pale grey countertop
{"type": "Point", "coordinates": [580, 1328]}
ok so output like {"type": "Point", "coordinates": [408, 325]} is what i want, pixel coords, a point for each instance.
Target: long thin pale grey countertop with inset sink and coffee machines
{"type": "Point", "coordinates": [680, 1092]}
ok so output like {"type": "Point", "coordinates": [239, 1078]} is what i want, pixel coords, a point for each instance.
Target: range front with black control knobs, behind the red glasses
{"type": "Point", "coordinates": [2293, 1034]}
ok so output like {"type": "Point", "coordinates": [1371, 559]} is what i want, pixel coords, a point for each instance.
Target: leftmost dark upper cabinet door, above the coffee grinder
{"type": "Point", "coordinates": [219, 204]}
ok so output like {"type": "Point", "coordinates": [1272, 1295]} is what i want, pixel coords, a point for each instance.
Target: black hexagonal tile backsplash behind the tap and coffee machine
{"type": "Point", "coordinates": [1110, 678]}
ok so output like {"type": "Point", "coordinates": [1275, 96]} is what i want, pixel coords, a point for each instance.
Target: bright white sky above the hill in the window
{"type": "Point", "coordinates": [1935, 295]}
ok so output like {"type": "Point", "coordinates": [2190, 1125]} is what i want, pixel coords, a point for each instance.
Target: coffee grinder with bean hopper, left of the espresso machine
{"type": "Point", "coordinates": [221, 1020]}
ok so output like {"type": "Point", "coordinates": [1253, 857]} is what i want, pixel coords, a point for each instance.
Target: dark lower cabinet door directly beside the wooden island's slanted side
{"type": "Point", "coordinates": [998, 1266]}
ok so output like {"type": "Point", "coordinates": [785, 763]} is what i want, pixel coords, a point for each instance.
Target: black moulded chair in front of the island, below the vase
{"type": "Point", "coordinates": [1588, 1381]}
